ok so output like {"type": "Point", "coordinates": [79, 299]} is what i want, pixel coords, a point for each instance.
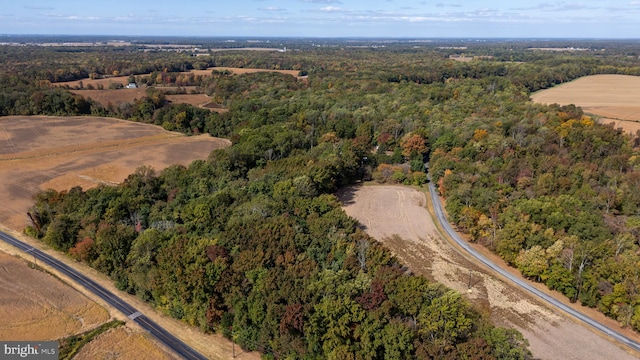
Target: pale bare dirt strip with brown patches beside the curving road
{"type": "Point", "coordinates": [385, 211]}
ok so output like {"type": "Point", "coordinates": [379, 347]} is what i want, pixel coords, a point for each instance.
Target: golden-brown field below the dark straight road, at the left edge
{"type": "Point", "coordinates": [36, 306]}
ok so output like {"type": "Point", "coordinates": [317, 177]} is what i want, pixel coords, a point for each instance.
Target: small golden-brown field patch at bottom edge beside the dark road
{"type": "Point", "coordinates": [131, 345]}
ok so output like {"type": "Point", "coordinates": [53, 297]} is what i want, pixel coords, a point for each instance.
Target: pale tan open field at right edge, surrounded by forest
{"type": "Point", "coordinates": [612, 97]}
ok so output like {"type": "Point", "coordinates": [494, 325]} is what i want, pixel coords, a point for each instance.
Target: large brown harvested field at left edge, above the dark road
{"type": "Point", "coordinates": [40, 152]}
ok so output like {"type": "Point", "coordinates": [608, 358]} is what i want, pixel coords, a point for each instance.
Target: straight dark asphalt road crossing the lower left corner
{"type": "Point", "coordinates": [154, 329]}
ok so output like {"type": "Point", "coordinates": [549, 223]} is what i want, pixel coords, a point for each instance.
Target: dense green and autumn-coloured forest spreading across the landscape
{"type": "Point", "coordinates": [252, 243]}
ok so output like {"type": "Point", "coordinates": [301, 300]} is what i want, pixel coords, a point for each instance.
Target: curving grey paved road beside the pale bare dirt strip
{"type": "Point", "coordinates": [521, 283]}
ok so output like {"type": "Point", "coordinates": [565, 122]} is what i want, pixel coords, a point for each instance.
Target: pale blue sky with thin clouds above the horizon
{"type": "Point", "coordinates": [325, 18]}
